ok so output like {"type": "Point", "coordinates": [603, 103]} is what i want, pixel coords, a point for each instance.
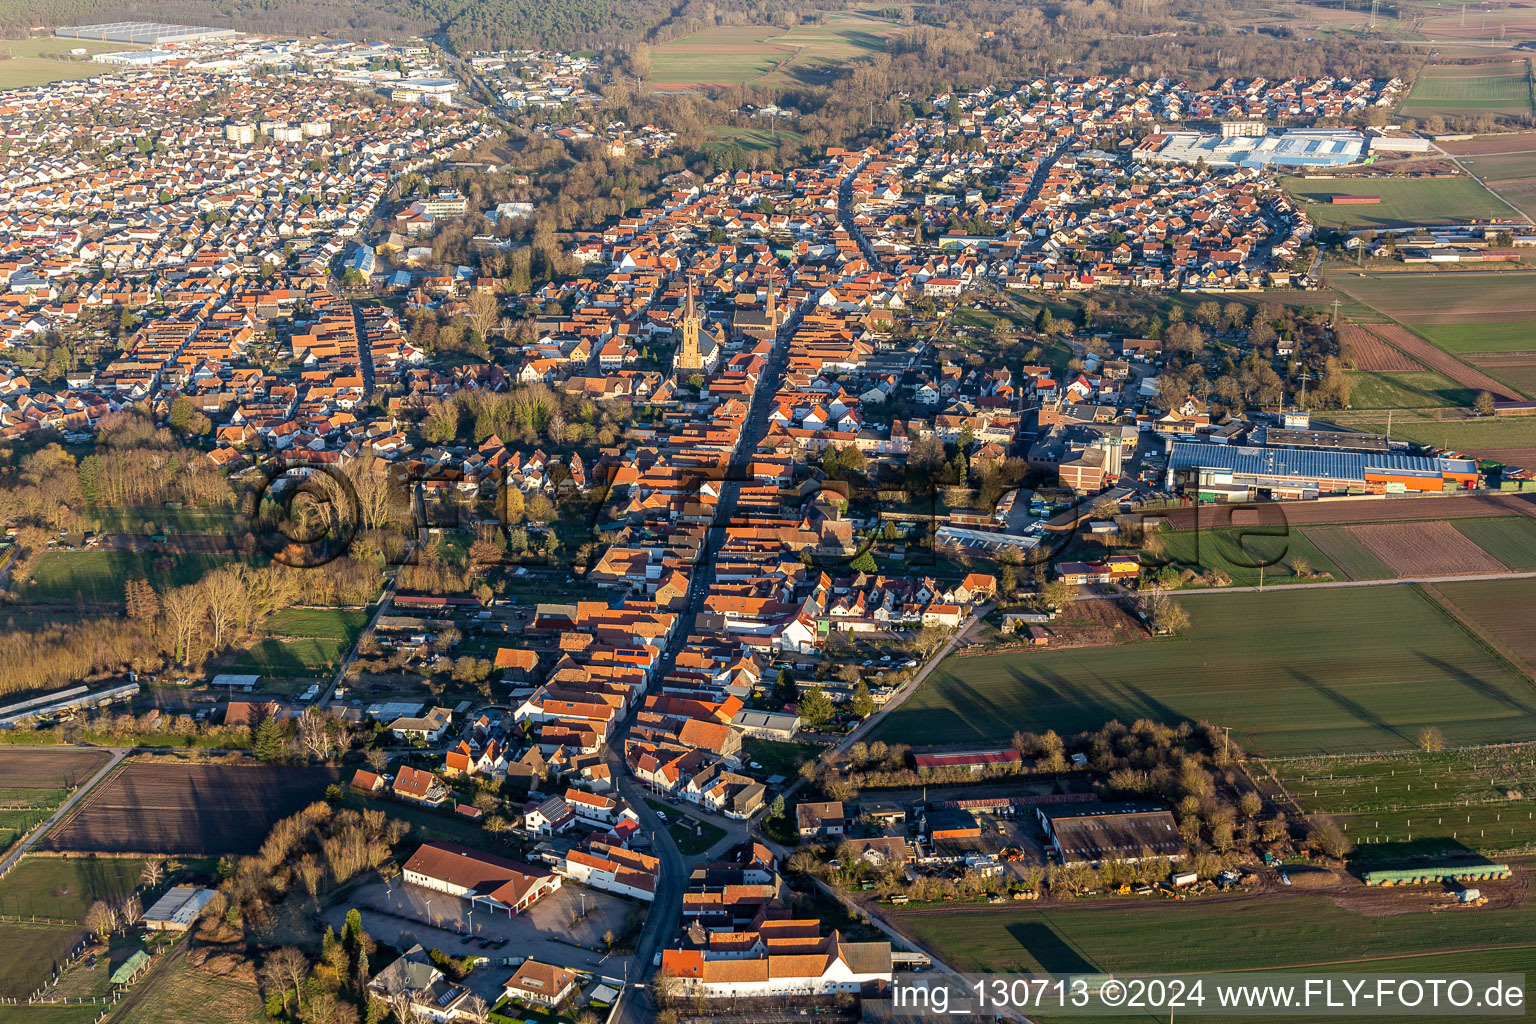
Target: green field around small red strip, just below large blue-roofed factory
{"type": "Point", "coordinates": [1403, 200]}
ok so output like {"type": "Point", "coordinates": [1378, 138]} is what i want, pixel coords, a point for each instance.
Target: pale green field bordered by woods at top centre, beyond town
{"type": "Point", "coordinates": [752, 53]}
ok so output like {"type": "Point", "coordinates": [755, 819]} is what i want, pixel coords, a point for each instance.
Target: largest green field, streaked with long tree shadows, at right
{"type": "Point", "coordinates": [1294, 672]}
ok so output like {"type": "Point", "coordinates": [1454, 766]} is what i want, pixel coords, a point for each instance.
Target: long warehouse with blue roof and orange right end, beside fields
{"type": "Point", "coordinates": [1216, 472]}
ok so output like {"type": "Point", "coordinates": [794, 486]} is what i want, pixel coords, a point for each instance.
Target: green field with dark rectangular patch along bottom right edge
{"type": "Point", "coordinates": [1131, 936]}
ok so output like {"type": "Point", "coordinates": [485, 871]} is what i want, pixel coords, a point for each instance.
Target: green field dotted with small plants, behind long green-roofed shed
{"type": "Point", "coordinates": [1423, 804]}
